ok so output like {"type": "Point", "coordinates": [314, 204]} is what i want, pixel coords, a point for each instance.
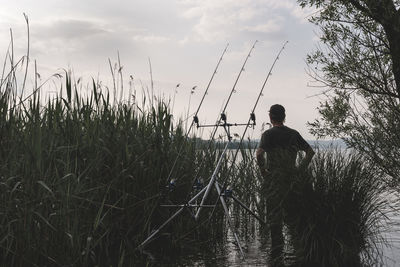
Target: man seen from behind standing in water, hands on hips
{"type": "Point", "coordinates": [281, 145]}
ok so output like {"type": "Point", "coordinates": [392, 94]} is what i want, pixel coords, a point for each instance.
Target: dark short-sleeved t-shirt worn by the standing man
{"type": "Point", "coordinates": [281, 144]}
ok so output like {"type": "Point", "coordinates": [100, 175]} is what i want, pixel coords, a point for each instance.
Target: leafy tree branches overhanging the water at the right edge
{"type": "Point", "coordinates": [359, 63]}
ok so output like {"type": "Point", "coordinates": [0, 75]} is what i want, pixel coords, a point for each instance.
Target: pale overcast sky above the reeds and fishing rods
{"type": "Point", "coordinates": [183, 40]}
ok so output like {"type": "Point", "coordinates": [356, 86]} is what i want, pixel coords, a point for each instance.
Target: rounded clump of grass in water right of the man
{"type": "Point", "coordinates": [335, 211]}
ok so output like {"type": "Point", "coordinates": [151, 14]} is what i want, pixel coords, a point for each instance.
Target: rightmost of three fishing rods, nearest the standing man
{"type": "Point", "coordinates": [251, 119]}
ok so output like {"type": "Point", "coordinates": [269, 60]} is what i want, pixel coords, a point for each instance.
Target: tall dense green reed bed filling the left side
{"type": "Point", "coordinates": [82, 178]}
